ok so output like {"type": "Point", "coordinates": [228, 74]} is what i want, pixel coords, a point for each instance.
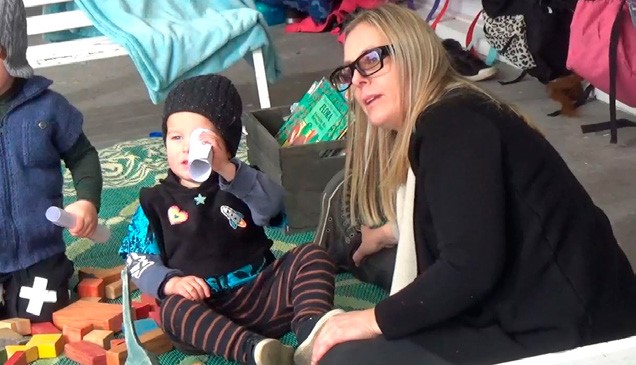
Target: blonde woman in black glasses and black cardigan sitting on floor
{"type": "Point", "coordinates": [501, 252]}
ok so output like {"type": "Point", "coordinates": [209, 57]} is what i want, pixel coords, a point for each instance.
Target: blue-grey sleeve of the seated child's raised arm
{"type": "Point", "coordinates": [262, 195]}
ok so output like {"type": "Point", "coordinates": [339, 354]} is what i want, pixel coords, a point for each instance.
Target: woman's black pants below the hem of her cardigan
{"type": "Point", "coordinates": [446, 344]}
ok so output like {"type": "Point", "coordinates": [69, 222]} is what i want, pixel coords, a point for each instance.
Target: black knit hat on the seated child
{"type": "Point", "coordinates": [214, 97]}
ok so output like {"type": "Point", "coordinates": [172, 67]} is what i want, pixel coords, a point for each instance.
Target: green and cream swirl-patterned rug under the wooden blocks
{"type": "Point", "coordinates": [131, 165]}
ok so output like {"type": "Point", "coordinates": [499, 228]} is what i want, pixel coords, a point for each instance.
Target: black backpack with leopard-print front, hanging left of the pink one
{"type": "Point", "coordinates": [532, 34]}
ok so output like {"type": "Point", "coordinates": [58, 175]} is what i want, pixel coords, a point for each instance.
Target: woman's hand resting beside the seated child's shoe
{"type": "Point", "coordinates": [350, 326]}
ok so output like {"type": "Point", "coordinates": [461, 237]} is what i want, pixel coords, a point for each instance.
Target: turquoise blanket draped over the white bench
{"type": "Point", "coordinates": [169, 40]}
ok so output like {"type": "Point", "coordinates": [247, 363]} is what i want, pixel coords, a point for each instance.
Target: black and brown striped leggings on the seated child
{"type": "Point", "coordinates": [298, 285]}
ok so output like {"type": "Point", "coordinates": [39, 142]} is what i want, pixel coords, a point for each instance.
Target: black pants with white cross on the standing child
{"type": "Point", "coordinates": [56, 271]}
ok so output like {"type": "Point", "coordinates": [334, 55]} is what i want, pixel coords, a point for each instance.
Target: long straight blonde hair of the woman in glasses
{"type": "Point", "coordinates": [377, 159]}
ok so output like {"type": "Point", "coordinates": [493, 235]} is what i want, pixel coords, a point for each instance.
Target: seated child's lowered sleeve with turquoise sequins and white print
{"type": "Point", "coordinates": [143, 258]}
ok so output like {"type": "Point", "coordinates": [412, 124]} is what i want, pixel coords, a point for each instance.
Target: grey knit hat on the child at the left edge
{"type": "Point", "coordinates": [13, 38]}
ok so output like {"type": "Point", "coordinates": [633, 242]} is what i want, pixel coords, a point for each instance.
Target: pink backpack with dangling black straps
{"type": "Point", "coordinates": [602, 51]}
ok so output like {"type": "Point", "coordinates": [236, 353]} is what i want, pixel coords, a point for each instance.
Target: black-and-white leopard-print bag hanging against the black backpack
{"type": "Point", "coordinates": [507, 34]}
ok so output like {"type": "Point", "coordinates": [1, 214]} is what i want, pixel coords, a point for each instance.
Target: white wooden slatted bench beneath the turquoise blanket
{"type": "Point", "coordinates": [94, 48]}
